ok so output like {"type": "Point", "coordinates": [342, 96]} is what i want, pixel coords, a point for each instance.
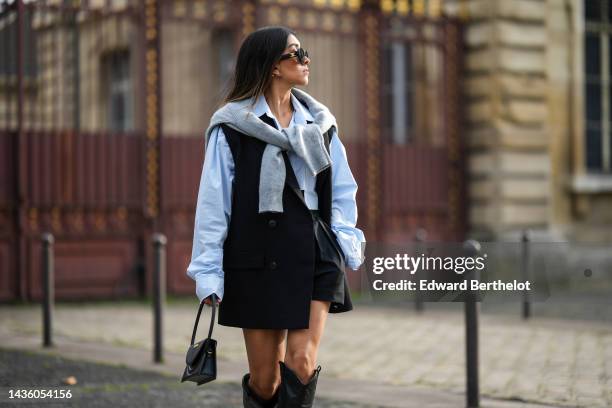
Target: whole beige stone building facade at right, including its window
{"type": "Point", "coordinates": [537, 89]}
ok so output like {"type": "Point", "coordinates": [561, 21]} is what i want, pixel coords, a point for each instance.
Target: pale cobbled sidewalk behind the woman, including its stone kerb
{"type": "Point", "coordinates": [413, 360]}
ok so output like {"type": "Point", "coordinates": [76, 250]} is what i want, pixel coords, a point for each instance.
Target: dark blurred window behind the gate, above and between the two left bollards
{"type": "Point", "coordinates": [117, 90]}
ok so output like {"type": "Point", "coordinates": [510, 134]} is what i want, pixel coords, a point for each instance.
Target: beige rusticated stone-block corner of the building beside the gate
{"type": "Point", "coordinates": [508, 129]}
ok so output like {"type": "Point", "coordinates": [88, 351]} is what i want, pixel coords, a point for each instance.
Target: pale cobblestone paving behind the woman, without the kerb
{"type": "Point", "coordinates": [562, 363]}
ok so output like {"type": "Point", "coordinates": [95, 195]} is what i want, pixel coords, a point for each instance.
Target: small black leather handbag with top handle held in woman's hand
{"type": "Point", "coordinates": [202, 356]}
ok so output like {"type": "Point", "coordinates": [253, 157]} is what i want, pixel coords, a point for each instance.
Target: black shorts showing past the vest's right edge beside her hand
{"type": "Point", "coordinates": [329, 264]}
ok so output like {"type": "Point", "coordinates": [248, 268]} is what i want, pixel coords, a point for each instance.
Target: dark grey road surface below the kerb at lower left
{"type": "Point", "coordinates": [103, 385]}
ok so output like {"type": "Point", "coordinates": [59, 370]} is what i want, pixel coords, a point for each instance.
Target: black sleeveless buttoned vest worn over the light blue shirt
{"type": "Point", "coordinates": [269, 258]}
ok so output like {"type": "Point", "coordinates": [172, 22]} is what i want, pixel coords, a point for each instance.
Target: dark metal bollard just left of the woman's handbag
{"type": "Point", "coordinates": [159, 294]}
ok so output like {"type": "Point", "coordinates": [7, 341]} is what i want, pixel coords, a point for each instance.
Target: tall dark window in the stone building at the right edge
{"type": "Point", "coordinates": [597, 85]}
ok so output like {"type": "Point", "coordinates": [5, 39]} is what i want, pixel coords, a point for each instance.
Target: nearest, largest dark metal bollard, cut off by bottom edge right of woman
{"type": "Point", "coordinates": [472, 247]}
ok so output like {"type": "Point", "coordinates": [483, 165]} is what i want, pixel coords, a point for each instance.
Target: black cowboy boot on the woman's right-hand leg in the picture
{"type": "Point", "coordinates": [294, 394]}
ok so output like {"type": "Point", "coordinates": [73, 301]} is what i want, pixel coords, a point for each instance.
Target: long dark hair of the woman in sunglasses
{"type": "Point", "coordinates": [259, 51]}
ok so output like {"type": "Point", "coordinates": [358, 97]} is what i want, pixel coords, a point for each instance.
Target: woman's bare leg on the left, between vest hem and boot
{"type": "Point", "coordinates": [265, 347]}
